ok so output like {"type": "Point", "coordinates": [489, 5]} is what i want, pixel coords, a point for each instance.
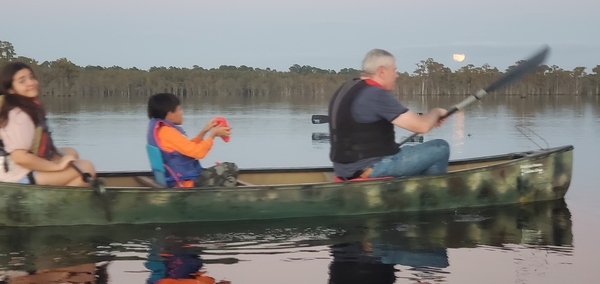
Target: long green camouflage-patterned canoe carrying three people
{"type": "Point", "coordinates": [130, 197]}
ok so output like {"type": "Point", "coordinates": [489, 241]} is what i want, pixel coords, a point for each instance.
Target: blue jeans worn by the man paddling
{"type": "Point", "coordinates": [429, 158]}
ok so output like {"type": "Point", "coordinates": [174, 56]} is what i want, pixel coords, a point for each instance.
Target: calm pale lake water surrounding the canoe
{"type": "Point", "coordinates": [554, 242]}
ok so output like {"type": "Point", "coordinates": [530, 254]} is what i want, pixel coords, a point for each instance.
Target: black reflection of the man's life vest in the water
{"type": "Point", "coordinates": [351, 265]}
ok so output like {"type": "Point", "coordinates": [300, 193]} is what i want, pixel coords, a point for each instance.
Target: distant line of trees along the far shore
{"type": "Point", "coordinates": [63, 78]}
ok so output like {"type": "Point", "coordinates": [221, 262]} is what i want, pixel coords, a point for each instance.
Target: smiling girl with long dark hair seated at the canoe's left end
{"type": "Point", "coordinates": [27, 152]}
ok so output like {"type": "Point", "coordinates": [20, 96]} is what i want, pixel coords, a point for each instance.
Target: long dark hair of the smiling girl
{"type": "Point", "coordinates": [28, 105]}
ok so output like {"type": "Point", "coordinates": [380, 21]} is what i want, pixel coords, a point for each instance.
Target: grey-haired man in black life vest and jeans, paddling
{"type": "Point", "coordinates": [363, 113]}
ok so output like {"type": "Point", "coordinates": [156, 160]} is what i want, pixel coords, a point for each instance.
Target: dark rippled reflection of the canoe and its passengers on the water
{"type": "Point", "coordinates": [373, 249]}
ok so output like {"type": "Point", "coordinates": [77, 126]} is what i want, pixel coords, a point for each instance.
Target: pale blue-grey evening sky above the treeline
{"type": "Point", "coordinates": [322, 33]}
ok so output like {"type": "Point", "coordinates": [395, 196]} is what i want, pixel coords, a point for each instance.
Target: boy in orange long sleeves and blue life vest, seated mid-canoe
{"type": "Point", "coordinates": [180, 154]}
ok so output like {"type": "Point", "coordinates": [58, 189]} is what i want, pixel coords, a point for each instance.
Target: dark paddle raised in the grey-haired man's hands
{"type": "Point", "coordinates": [510, 76]}
